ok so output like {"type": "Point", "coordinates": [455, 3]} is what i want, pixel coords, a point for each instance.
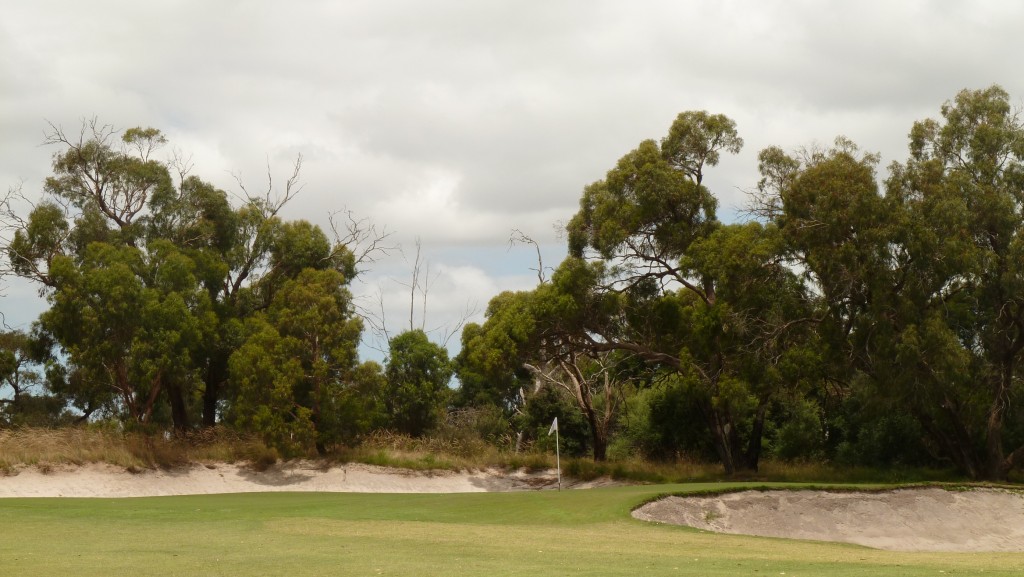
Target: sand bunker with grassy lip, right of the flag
{"type": "Point", "coordinates": [910, 520]}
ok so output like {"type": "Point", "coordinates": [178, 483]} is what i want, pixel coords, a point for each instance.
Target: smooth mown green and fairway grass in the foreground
{"type": "Point", "coordinates": [489, 534]}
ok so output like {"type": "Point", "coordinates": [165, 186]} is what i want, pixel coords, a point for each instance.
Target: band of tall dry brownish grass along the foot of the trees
{"type": "Point", "coordinates": [452, 450]}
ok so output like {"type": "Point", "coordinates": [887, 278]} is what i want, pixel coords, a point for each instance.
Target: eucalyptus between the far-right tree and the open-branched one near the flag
{"type": "Point", "coordinates": [843, 235]}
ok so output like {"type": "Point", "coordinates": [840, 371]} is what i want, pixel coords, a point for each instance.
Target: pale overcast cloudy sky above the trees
{"type": "Point", "coordinates": [454, 123]}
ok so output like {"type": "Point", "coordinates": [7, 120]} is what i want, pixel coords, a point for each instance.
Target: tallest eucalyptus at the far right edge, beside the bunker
{"type": "Point", "coordinates": [963, 189]}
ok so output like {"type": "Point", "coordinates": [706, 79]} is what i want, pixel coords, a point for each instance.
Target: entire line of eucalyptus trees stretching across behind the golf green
{"type": "Point", "coordinates": [851, 319]}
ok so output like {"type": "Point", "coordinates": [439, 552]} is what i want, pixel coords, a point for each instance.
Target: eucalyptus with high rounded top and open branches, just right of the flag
{"type": "Point", "coordinates": [680, 291]}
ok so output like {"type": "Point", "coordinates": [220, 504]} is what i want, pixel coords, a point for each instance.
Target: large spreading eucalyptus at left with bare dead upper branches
{"type": "Point", "coordinates": [151, 273]}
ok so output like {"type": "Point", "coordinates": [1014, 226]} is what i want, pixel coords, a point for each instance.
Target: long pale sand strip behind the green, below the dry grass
{"type": "Point", "coordinates": [108, 481]}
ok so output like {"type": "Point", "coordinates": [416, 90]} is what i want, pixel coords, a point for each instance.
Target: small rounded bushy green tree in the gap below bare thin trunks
{"type": "Point", "coordinates": [417, 376]}
